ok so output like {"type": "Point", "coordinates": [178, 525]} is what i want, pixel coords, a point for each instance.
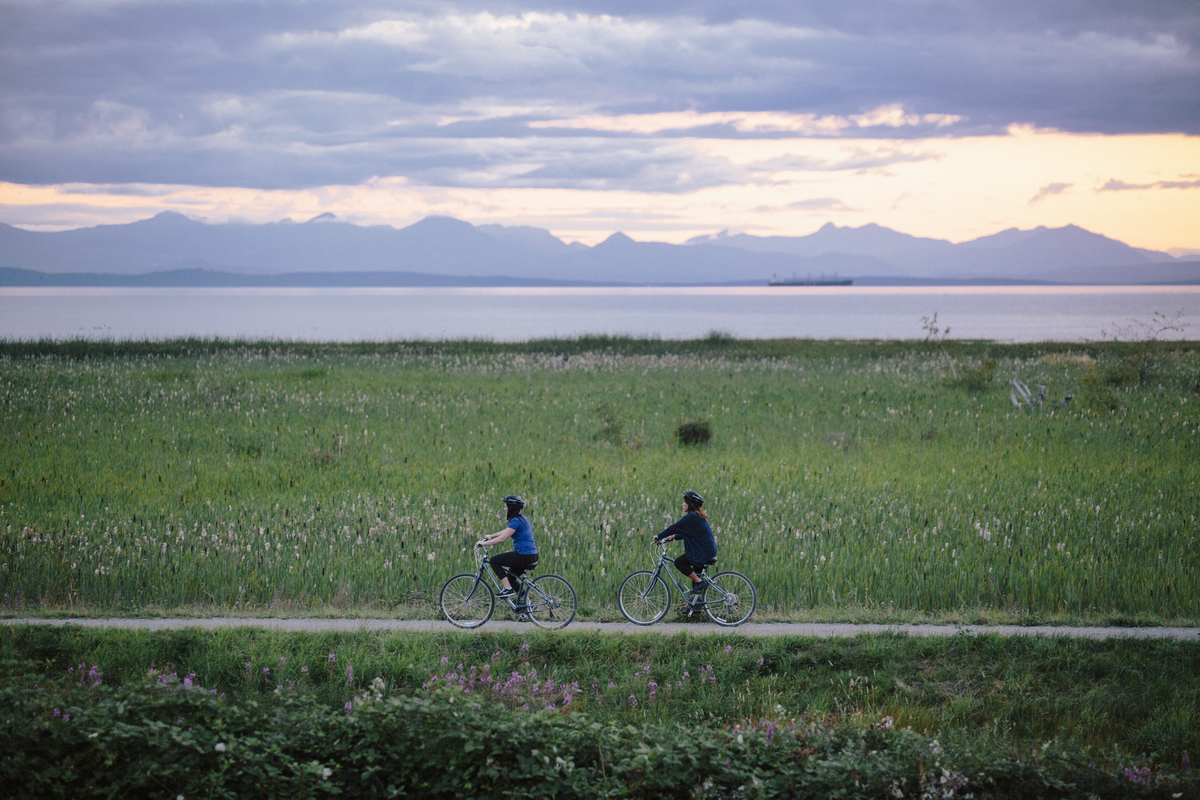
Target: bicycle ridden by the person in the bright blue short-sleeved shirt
{"type": "Point", "coordinates": [469, 601]}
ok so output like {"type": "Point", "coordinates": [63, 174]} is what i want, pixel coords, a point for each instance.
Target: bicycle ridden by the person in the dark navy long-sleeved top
{"type": "Point", "coordinates": [645, 598]}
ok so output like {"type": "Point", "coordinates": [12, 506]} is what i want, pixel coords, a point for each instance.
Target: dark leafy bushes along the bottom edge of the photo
{"type": "Point", "coordinates": [169, 738]}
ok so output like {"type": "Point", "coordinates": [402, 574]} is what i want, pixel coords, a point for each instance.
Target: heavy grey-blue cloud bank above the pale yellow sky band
{"type": "Point", "coordinates": [283, 95]}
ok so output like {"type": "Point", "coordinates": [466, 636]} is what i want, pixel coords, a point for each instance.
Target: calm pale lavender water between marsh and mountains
{"type": "Point", "coordinates": [1003, 314]}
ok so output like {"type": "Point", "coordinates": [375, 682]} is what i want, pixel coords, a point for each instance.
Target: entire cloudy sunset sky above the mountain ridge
{"type": "Point", "coordinates": [664, 121]}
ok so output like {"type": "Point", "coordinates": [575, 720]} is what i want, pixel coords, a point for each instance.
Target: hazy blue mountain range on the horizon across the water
{"type": "Point", "coordinates": [173, 250]}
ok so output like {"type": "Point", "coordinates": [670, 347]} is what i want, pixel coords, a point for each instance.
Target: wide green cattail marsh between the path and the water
{"type": "Point", "coordinates": [850, 480]}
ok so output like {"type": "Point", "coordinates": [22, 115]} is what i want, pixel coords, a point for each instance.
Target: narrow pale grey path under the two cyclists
{"type": "Point", "coordinates": [819, 630]}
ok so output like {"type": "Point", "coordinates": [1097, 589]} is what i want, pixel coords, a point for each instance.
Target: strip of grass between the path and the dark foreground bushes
{"type": "Point", "coordinates": [1141, 699]}
